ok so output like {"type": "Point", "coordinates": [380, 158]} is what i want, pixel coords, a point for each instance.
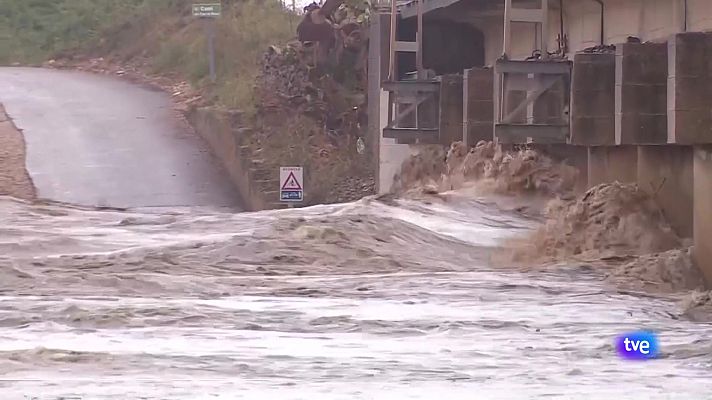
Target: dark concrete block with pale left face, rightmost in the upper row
{"type": "Point", "coordinates": [690, 88]}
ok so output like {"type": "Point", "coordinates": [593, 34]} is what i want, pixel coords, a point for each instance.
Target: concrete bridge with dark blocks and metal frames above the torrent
{"type": "Point", "coordinates": [623, 87]}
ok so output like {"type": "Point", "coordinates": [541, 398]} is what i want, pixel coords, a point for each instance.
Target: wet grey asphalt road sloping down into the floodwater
{"type": "Point", "coordinates": [98, 141]}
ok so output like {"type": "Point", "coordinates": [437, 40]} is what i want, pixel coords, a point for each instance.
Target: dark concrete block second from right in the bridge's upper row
{"type": "Point", "coordinates": [641, 93]}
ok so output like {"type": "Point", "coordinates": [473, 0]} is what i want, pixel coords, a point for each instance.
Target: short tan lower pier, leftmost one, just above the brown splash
{"type": "Point", "coordinates": [612, 163]}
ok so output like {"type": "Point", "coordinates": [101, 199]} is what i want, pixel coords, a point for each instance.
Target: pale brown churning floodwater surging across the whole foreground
{"type": "Point", "coordinates": [369, 300]}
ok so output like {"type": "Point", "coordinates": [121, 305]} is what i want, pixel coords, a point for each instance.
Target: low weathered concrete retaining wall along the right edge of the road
{"type": "Point", "coordinates": [218, 129]}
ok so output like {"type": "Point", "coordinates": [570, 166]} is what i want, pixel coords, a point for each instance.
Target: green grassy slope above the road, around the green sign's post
{"type": "Point", "coordinates": [161, 32]}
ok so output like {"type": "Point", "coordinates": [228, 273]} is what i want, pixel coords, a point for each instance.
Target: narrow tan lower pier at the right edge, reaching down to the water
{"type": "Point", "coordinates": [703, 210]}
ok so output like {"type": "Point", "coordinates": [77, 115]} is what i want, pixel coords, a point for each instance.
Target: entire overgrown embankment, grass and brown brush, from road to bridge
{"type": "Point", "coordinates": [290, 113]}
